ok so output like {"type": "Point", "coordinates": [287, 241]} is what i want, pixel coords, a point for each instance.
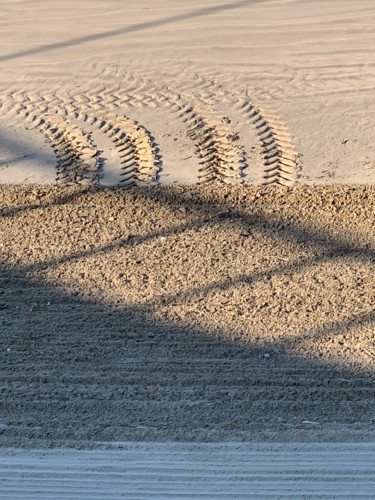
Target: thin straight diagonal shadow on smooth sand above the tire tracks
{"type": "Point", "coordinates": [206, 11]}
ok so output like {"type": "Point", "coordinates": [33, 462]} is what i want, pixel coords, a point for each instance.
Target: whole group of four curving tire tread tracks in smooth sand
{"type": "Point", "coordinates": [233, 141]}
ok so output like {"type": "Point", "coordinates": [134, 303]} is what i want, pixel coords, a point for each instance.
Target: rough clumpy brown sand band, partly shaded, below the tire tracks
{"type": "Point", "coordinates": [205, 313]}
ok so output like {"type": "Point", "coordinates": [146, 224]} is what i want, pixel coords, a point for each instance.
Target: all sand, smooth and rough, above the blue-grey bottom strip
{"type": "Point", "coordinates": [187, 221]}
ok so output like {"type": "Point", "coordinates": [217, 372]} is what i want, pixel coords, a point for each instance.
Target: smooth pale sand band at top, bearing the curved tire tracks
{"type": "Point", "coordinates": [278, 91]}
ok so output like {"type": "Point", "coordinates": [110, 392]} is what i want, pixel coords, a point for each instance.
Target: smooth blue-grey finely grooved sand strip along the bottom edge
{"type": "Point", "coordinates": [148, 471]}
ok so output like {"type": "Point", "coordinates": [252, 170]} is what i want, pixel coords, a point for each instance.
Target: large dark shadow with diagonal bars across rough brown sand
{"type": "Point", "coordinates": [78, 372]}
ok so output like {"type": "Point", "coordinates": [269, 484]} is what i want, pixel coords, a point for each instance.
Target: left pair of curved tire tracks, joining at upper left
{"type": "Point", "coordinates": [139, 155]}
